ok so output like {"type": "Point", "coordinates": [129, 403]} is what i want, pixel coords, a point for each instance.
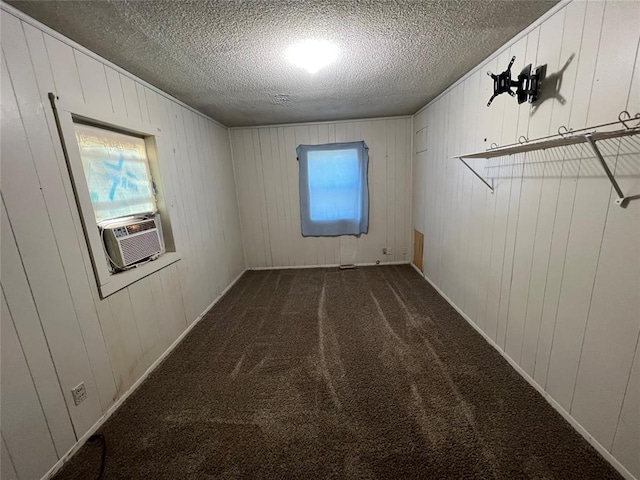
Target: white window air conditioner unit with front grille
{"type": "Point", "coordinates": [130, 242]}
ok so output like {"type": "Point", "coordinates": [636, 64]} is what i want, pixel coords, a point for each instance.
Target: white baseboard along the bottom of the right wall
{"type": "Point", "coordinates": [566, 415]}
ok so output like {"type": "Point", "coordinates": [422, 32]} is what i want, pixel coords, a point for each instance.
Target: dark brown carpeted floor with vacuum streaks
{"type": "Point", "coordinates": [357, 374]}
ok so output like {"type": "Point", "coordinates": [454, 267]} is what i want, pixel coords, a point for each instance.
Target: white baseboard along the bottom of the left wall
{"type": "Point", "coordinates": [111, 410]}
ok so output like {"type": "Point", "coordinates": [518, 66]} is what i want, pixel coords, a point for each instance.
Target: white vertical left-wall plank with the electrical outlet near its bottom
{"type": "Point", "coordinates": [26, 207]}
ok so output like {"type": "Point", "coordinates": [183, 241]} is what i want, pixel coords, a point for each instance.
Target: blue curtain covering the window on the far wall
{"type": "Point", "coordinates": [334, 190]}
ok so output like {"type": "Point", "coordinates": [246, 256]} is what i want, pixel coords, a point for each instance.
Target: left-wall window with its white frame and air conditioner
{"type": "Point", "coordinates": [115, 176]}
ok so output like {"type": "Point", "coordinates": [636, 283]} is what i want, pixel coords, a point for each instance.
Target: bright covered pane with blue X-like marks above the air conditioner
{"type": "Point", "coordinates": [117, 172]}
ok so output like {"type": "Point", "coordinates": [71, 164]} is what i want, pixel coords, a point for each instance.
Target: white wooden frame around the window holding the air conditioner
{"type": "Point", "coordinates": [66, 116]}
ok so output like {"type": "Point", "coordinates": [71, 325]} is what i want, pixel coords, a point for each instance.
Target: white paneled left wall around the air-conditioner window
{"type": "Point", "coordinates": [56, 332]}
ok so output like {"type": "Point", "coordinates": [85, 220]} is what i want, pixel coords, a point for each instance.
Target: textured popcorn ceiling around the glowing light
{"type": "Point", "coordinates": [226, 58]}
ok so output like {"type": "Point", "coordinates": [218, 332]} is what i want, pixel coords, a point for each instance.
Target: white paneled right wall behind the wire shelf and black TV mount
{"type": "Point", "coordinates": [548, 267]}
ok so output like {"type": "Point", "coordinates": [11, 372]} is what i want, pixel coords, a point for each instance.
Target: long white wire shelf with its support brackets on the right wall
{"type": "Point", "coordinates": [565, 137]}
